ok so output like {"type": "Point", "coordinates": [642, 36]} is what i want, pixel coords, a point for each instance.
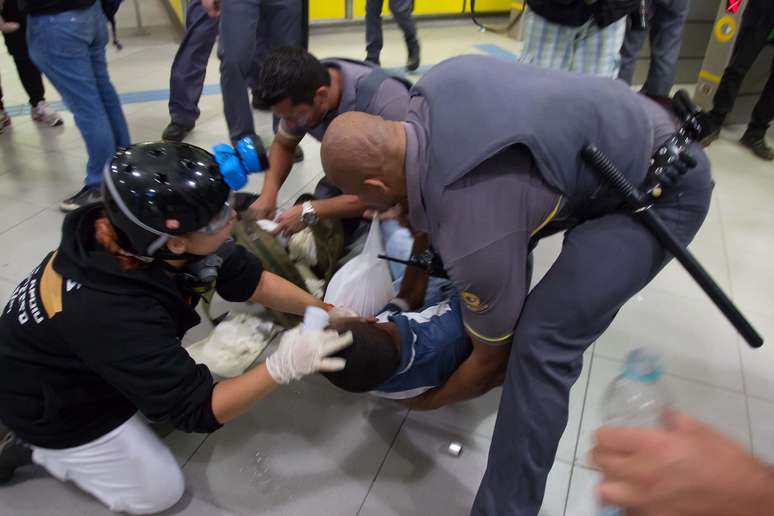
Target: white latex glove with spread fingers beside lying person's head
{"type": "Point", "coordinates": [300, 354]}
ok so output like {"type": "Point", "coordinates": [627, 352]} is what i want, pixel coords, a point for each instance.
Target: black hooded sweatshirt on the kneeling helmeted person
{"type": "Point", "coordinates": [85, 345]}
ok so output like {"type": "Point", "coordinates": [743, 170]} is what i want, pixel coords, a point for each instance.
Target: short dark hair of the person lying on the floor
{"type": "Point", "coordinates": [371, 359]}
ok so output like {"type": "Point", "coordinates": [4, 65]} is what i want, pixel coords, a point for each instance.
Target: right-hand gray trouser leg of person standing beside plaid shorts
{"type": "Point", "coordinates": [666, 35]}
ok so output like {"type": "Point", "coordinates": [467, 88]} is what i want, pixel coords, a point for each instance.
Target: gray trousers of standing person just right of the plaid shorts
{"type": "Point", "coordinates": [667, 19]}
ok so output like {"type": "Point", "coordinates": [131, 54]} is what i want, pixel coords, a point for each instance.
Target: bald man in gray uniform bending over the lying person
{"type": "Point", "coordinates": [487, 162]}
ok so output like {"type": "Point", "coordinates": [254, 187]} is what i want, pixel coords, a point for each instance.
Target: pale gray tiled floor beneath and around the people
{"type": "Point", "coordinates": [309, 449]}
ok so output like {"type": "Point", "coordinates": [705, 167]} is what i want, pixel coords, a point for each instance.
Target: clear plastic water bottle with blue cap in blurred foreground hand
{"type": "Point", "coordinates": [636, 398]}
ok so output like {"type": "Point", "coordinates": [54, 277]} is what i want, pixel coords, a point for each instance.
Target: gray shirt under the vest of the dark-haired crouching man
{"type": "Point", "coordinates": [389, 102]}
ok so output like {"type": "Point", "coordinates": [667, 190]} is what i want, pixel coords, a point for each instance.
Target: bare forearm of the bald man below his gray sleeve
{"type": "Point", "coordinates": [483, 370]}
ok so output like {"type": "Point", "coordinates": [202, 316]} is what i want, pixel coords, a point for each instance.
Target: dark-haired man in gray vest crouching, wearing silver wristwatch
{"type": "Point", "coordinates": [307, 95]}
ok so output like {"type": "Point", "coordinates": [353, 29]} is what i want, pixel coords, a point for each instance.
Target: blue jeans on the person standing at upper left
{"type": "Point", "coordinates": [69, 48]}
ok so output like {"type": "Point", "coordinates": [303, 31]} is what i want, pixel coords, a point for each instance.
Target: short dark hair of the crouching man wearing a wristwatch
{"type": "Point", "coordinates": [291, 73]}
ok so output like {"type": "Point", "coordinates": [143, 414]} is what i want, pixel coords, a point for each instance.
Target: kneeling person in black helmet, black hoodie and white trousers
{"type": "Point", "coordinates": [91, 338]}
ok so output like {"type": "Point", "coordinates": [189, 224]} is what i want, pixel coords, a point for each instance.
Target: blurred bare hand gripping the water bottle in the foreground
{"type": "Point", "coordinates": [688, 469]}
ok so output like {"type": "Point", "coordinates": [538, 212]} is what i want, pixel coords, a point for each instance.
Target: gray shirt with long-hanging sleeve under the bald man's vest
{"type": "Point", "coordinates": [481, 225]}
